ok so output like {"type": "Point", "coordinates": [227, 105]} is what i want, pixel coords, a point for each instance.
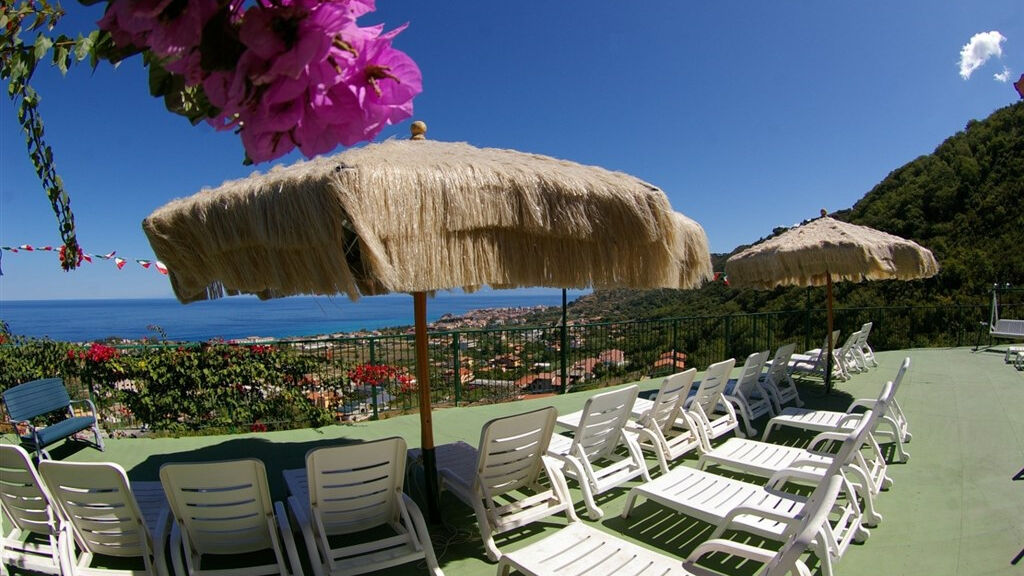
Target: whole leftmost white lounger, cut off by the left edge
{"type": "Point", "coordinates": [38, 537]}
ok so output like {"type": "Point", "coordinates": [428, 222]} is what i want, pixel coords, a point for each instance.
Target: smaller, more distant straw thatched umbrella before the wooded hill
{"type": "Point", "coordinates": [826, 251]}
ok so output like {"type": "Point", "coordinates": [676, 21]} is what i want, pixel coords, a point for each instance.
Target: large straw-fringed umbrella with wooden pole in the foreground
{"type": "Point", "coordinates": [419, 217]}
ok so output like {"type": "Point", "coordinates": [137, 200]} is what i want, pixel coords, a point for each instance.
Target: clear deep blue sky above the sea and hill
{"type": "Point", "coordinates": [749, 115]}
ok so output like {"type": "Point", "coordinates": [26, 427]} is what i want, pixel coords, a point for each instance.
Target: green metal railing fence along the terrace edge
{"type": "Point", "coordinates": [501, 365]}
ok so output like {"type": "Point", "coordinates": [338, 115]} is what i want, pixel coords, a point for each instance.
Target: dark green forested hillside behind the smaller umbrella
{"type": "Point", "coordinates": [965, 202]}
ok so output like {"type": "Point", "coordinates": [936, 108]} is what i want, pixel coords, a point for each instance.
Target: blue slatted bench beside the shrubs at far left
{"type": "Point", "coordinates": [27, 402]}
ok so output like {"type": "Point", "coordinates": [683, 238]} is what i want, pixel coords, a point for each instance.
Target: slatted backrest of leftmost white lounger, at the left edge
{"type": "Point", "coordinates": [24, 501]}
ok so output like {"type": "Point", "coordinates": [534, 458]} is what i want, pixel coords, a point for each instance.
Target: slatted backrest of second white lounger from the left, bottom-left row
{"type": "Point", "coordinates": [98, 501]}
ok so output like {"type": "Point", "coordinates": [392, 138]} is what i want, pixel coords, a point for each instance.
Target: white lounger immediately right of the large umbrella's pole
{"type": "Point", "coordinates": [504, 487]}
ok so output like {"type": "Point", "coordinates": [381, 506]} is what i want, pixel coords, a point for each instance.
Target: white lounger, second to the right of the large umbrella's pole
{"type": "Point", "coordinates": [593, 457]}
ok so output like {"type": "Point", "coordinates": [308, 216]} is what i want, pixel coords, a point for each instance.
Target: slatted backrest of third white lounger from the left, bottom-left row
{"type": "Point", "coordinates": [222, 508]}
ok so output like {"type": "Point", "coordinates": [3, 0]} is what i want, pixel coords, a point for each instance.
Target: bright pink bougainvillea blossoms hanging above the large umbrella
{"type": "Point", "coordinates": [283, 74]}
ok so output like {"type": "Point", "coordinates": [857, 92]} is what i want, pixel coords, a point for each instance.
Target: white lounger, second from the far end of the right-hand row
{"type": "Point", "coordinates": [764, 460]}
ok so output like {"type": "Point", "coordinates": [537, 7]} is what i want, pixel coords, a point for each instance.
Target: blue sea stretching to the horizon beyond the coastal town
{"type": "Point", "coordinates": [242, 317]}
